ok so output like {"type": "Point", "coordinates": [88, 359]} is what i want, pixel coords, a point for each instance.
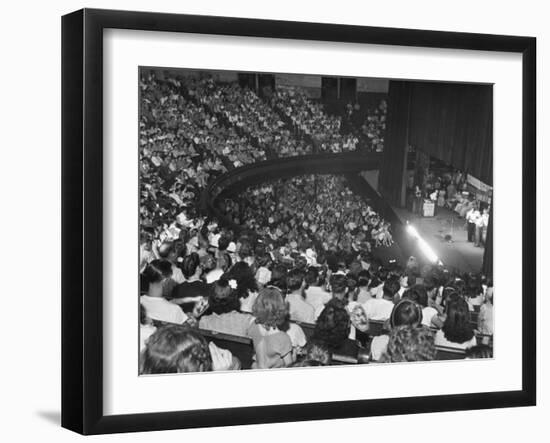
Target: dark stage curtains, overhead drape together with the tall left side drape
{"type": "Point", "coordinates": [450, 121]}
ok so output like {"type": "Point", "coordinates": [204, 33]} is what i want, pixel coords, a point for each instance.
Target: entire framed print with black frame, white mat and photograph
{"type": "Point", "coordinates": [273, 221]}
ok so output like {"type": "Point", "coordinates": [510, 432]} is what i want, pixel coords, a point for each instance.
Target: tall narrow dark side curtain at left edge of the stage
{"type": "Point", "coordinates": [392, 165]}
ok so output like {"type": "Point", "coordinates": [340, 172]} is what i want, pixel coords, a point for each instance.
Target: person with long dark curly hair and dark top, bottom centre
{"type": "Point", "coordinates": [333, 328]}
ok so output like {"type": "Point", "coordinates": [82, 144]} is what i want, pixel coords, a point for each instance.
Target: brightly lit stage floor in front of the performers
{"type": "Point", "coordinates": [458, 253]}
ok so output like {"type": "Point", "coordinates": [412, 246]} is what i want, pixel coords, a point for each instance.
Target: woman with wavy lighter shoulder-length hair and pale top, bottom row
{"type": "Point", "coordinates": [272, 346]}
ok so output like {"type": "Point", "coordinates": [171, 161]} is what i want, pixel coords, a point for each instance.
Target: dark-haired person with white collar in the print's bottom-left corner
{"type": "Point", "coordinates": [174, 349]}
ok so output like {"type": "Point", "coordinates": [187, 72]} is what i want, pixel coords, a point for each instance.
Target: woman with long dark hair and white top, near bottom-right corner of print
{"type": "Point", "coordinates": [456, 331]}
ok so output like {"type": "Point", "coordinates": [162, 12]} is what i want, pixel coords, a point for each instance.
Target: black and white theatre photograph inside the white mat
{"type": "Point", "coordinates": [294, 220]}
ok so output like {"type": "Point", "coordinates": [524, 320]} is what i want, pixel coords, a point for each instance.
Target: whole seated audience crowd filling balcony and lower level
{"type": "Point", "coordinates": [299, 279]}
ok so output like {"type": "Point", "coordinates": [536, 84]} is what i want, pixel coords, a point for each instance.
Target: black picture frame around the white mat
{"type": "Point", "coordinates": [82, 220]}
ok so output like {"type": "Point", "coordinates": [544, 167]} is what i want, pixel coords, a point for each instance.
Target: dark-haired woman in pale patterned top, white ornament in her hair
{"type": "Point", "coordinates": [223, 314]}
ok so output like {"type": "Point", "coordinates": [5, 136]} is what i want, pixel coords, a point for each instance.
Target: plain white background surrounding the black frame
{"type": "Point", "coordinates": [30, 216]}
